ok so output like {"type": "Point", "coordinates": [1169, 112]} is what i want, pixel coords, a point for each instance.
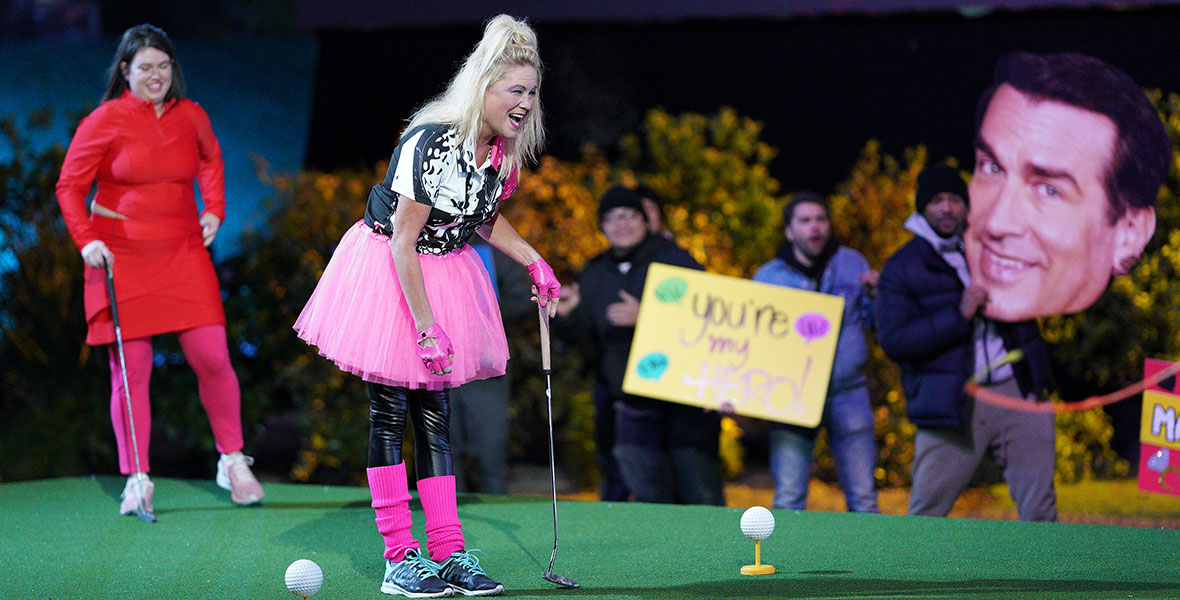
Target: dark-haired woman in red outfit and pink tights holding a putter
{"type": "Point", "coordinates": [145, 146]}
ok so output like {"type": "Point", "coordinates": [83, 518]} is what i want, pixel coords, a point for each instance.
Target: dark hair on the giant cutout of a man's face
{"type": "Point", "coordinates": [1143, 151]}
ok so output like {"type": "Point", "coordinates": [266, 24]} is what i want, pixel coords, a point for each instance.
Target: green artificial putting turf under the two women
{"type": "Point", "coordinates": [63, 539]}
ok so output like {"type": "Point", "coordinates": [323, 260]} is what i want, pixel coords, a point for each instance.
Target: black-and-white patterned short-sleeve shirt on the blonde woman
{"type": "Point", "coordinates": [435, 168]}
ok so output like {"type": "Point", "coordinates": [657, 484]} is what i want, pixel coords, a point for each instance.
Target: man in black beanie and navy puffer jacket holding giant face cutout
{"type": "Point", "coordinates": [930, 322]}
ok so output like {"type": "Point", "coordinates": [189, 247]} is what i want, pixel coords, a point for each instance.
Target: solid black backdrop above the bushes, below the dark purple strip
{"type": "Point", "coordinates": [823, 87]}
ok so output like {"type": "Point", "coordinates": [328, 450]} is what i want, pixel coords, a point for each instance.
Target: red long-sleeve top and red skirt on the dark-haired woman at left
{"type": "Point", "coordinates": [145, 167]}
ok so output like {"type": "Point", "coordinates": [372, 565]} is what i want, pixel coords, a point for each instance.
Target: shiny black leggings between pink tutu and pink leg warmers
{"type": "Point", "coordinates": [430, 413]}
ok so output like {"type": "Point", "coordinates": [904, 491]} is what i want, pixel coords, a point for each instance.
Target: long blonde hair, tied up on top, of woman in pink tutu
{"type": "Point", "coordinates": [507, 43]}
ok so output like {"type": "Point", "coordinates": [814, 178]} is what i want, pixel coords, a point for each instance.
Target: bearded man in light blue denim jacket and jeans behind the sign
{"type": "Point", "coordinates": [812, 260]}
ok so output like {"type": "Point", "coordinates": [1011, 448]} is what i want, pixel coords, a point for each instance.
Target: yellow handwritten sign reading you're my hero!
{"type": "Point", "coordinates": [713, 341]}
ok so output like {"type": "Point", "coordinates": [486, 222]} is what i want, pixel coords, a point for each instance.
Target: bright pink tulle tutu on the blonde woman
{"type": "Point", "coordinates": [359, 318]}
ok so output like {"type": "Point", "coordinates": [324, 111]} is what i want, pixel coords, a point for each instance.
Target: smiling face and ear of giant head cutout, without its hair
{"type": "Point", "coordinates": [1040, 237]}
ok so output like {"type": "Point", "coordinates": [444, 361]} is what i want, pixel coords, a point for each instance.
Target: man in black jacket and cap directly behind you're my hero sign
{"type": "Point", "coordinates": [666, 452]}
